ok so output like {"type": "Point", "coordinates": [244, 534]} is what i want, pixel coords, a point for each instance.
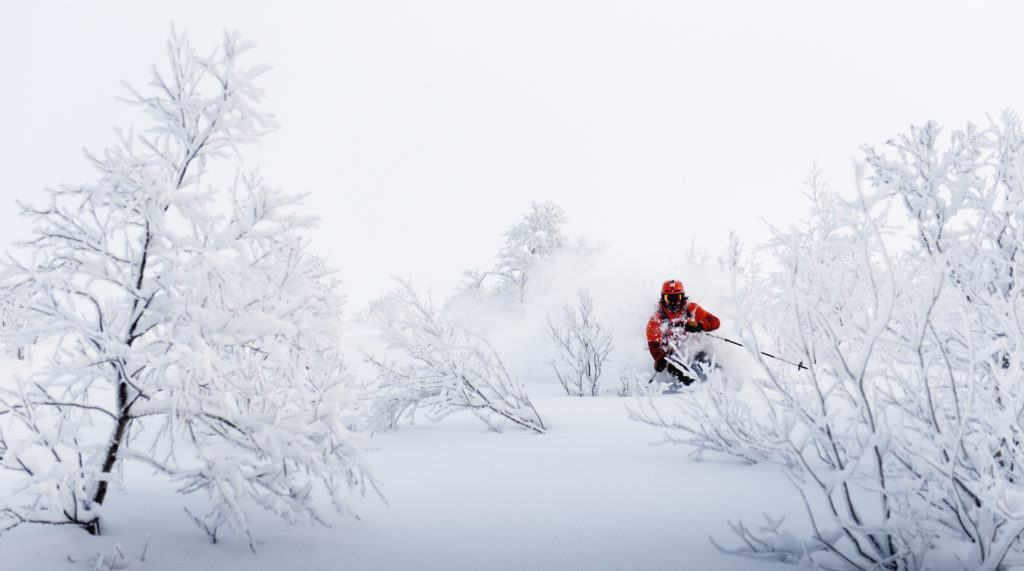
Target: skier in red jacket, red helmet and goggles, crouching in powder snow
{"type": "Point", "coordinates": [676, 317]}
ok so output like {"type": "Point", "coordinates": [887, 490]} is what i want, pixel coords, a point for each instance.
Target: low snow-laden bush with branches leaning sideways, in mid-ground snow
{"type": "Point", "coordinates": [442, 368]}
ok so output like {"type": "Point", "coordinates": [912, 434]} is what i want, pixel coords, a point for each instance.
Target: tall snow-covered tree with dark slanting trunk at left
{"type": "Point", "coordinates": [190, 329]}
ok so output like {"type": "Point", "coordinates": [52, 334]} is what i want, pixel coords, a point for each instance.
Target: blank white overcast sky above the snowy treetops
{"type": "Point", "coordinates": [422, 130]}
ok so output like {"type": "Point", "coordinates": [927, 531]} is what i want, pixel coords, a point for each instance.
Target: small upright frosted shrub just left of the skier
{"type": "Point", "coordinates": [583, 346]}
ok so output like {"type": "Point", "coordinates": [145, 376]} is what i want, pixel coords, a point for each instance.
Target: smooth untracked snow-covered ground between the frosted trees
{"type": "Point", "coordinates": [594, 493]}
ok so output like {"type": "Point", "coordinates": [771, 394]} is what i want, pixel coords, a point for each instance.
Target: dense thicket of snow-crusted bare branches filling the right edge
{"type": "Point", "coordinates": [905, 435]}
